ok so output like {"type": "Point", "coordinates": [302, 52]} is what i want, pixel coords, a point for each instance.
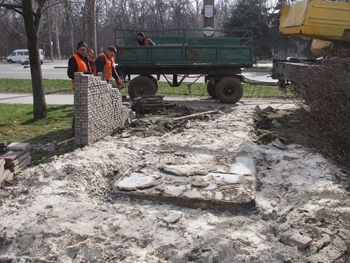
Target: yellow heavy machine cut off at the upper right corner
{"type": "Point", "coordinates": [326, 22]}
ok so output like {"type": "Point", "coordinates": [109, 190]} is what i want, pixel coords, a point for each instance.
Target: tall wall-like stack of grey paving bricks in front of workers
{"type": "Point", "coordinates": [98, 109]}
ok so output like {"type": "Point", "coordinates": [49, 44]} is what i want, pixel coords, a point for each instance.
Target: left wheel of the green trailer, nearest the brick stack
{"type": "Point", "coordinates": [141, 86]}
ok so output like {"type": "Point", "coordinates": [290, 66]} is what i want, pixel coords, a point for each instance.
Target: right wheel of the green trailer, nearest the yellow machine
{"type": "Point", "coordinates": [229, 90]}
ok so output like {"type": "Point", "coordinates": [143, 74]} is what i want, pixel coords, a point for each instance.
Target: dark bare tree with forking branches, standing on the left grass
{"type": "Point", "coordinates": [31, 21]}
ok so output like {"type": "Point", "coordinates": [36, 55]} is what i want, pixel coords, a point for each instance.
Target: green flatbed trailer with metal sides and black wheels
{"type": "Point", "coordinates": [182, 54]}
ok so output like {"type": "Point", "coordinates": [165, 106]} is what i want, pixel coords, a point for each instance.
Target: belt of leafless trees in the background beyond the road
{"type": "Point", "coordinates": [71, 21]}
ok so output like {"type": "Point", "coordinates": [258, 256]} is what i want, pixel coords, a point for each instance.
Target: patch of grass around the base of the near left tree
{"type": "Point", "coordinates": [18, 125]}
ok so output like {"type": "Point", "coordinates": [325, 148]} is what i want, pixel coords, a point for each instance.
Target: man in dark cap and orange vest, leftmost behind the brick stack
{"type": "Point", "coordinates": [78, 62]}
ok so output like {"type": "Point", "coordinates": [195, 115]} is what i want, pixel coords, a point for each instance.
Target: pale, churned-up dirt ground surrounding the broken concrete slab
{"type": "Point", "coordinates": [68, 210]}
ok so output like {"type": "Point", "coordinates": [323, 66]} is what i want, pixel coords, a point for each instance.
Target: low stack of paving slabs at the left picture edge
{"type": "Point", "coordinates": [13, 157]}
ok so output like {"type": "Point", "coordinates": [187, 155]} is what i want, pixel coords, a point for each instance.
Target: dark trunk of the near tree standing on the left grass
{"type": "Point", "coordinates": [31, 26]}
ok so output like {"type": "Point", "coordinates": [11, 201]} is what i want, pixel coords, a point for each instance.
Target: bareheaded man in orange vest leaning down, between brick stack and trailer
{"type": "Point", "coordinates": [105, 63]}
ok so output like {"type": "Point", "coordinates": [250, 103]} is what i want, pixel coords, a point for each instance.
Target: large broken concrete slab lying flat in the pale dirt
{"type": "Point", "coordinates": [227, 191]}
